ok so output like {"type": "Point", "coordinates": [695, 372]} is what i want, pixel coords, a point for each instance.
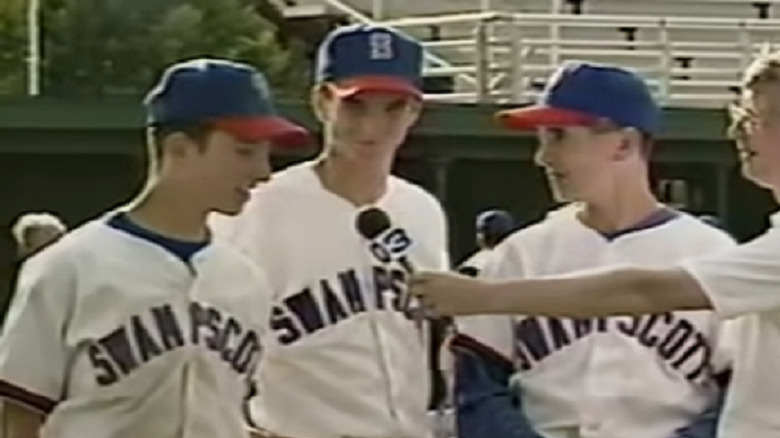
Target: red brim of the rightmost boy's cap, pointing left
{"type": "Point", "coordinates": [539, 116]}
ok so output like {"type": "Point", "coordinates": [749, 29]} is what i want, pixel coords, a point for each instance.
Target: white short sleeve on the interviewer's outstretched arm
{"type": "Point", "coordinates": [743, 279]}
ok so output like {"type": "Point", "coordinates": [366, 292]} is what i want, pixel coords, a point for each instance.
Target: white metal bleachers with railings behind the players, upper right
{"type": "Point", "coordinates": [692, 52]}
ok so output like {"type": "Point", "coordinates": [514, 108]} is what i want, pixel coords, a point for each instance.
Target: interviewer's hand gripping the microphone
{"type": "Point", "coordinates": [451, 294]}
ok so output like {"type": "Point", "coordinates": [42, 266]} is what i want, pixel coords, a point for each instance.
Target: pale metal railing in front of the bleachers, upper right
{"type": "Point", "coordinates": [500, 57]}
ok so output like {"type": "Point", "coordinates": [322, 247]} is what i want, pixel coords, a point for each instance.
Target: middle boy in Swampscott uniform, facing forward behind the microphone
{"type": "Point", "coordinates": [343, 358]}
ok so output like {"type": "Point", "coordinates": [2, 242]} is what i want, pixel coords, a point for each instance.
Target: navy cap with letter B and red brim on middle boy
{"type": "Point", "coordinates": [360, 58]}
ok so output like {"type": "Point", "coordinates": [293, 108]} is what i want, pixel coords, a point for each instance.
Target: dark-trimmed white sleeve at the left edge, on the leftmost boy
{"type": "Point", "coordinates": [33, 352]}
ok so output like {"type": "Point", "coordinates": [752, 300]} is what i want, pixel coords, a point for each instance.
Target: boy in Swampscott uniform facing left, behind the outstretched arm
{"type": "Point", "coordinates": [651, 376]}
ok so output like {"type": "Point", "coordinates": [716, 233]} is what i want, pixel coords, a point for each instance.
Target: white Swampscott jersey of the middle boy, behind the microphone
{"type": "Point", "coordinates": [342, 360]}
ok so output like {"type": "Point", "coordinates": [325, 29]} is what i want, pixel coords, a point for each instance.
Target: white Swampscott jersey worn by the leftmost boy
{"type": "Point", "coordinates": [113, 336]}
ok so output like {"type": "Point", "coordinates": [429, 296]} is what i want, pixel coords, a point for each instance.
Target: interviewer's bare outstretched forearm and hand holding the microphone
{"type": "Point", "coordinates": [618, 292]}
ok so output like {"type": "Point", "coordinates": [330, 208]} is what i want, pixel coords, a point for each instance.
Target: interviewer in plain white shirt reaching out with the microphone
{"type": "Point", "coordinates": [739, 282]}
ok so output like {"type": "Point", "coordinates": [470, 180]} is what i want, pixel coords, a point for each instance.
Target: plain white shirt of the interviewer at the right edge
{"type": "Point", "coordinates": [745, 283]}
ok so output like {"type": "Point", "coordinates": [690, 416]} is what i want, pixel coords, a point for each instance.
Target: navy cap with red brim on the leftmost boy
{"type": "Point", "coordinates": [226, 95]}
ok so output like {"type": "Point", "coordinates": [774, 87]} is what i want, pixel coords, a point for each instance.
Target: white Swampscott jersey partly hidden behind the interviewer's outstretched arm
{"type": "Point", "coordinates": [639, 377]}
